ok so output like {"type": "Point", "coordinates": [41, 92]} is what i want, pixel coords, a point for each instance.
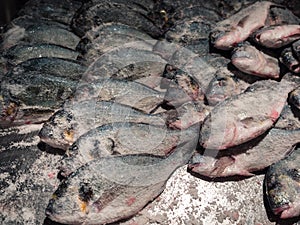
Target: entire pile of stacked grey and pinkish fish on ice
{"type": "Point", "coordinates": [133, 90]}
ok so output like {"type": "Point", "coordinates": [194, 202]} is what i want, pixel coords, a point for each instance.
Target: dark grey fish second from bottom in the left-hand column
{"type": "Point", "coordinates": [64, 68]}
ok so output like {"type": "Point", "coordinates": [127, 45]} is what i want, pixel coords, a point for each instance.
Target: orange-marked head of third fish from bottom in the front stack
{"type": "Point", "coordinates": [58, 131]}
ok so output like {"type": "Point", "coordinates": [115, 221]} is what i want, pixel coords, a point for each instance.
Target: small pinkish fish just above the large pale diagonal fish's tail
{"type": "Point", "coordinates": [250, 60]}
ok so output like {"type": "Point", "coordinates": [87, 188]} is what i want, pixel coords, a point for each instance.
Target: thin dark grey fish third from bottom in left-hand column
{"type": "Point", "coordinates": [21, 53]}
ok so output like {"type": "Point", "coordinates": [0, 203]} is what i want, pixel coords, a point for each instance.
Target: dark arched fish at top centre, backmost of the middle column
{"type": "Point", "coordinates": [113, 12]}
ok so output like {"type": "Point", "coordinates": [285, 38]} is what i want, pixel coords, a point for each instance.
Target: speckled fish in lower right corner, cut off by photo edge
{"type": "Point", "coordinates": [282, 186]}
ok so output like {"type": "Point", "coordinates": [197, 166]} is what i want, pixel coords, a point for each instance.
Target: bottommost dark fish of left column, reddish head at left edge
{"type": "Point", "coordinates": [32, 97]}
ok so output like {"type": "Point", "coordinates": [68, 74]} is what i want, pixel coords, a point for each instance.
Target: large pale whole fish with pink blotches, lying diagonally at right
{"type": "Point", "coordinates": [247, 115]}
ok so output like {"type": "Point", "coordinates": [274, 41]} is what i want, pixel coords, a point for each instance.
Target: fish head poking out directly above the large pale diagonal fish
{"type": "Point", "coordinates": [224, 85]}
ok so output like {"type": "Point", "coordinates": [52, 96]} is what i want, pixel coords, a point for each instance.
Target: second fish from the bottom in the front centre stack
{"type": "Point", "coordinates": [121, 139]}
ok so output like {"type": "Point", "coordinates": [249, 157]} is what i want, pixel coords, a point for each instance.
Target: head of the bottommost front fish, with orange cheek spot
{"type": "Point", "coordinates": [70, 203]}
